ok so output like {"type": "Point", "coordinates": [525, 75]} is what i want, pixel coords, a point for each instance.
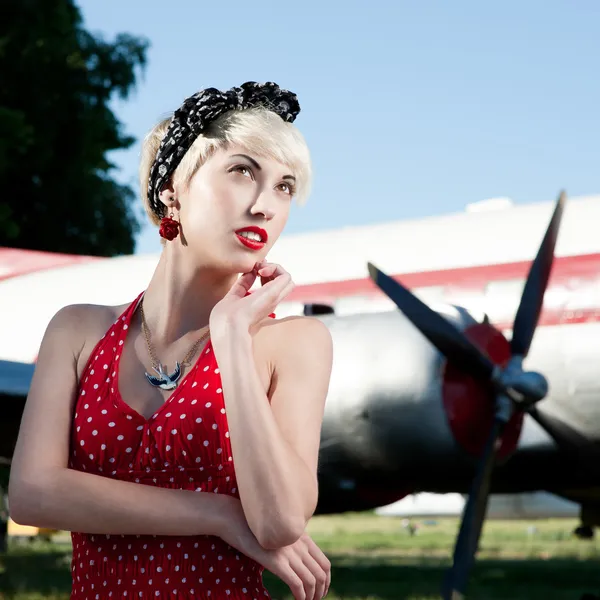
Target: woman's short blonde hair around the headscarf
{"type": "Point", "coordinates": [258, 129]}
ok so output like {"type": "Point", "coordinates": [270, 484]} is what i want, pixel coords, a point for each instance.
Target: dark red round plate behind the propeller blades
{"type": "Point", "coordinates": [469, 402]}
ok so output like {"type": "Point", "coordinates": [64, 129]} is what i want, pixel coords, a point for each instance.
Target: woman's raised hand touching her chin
{"type": "Point", "coordinates": [240, 310]}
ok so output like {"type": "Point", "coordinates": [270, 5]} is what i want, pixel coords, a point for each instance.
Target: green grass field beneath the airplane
{"type": "Point", "coordinates": [376, 558]}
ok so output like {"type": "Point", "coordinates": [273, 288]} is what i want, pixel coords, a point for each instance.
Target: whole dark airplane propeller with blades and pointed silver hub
{"type": "Point", "coordinates": [514, 388]}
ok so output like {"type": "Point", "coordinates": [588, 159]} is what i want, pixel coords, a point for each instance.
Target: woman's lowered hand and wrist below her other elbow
{"type": "Point", "coordinates": [302, 565]}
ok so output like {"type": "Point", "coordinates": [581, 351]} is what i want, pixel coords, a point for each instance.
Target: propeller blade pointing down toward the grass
{"type": "Point", "coordinates": [473, 516]}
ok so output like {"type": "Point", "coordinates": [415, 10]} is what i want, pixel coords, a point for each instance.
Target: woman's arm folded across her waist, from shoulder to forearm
{"type": "Point", "coordinates": [44, 492]}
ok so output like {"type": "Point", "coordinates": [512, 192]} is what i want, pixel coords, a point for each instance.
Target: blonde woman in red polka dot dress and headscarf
{"type": "Point", "coordinates": [193, 376]}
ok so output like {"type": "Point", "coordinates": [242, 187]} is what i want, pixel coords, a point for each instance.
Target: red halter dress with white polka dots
{"type": "Point", "coordinates": [183, 445]}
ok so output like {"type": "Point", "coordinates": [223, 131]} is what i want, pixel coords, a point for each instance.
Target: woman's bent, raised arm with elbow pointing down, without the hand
{"type": "Point", "coordinates": [275, 444]}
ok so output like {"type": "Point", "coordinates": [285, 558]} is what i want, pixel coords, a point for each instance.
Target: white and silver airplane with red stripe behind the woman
{"type": "Point", "coordinates": [406, 412]}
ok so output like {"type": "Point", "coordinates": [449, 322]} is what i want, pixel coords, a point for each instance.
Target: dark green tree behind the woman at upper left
{"type": "Point", "coordinates": [56, 128]}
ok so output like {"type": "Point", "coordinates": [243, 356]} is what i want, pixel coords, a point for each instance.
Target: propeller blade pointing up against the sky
{"type": "Point", "coordinates": [535, 286]}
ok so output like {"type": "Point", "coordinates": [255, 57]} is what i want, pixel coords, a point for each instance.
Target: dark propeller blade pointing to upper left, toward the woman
{"type": "Point", "coordinates": [442, 334]}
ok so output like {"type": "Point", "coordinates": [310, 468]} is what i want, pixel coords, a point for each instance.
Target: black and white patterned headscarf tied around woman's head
{"type": "Point", "coordinates": [197, 112]}
